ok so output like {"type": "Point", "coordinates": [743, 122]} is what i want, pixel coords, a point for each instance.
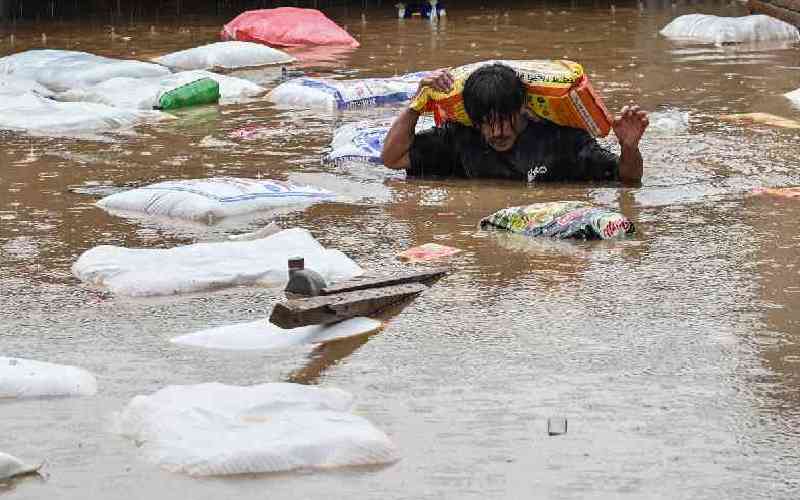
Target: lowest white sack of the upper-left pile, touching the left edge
{"type": "Point", "coordinates": [38, 115]}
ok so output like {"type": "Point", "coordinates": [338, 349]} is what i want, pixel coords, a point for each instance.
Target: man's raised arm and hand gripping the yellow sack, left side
{"type": "Point", "coordinates": [401, 136]}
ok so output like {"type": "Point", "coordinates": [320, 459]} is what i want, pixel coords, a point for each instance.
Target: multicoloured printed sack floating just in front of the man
{"type": "Point", "coordinates": [561, 219]}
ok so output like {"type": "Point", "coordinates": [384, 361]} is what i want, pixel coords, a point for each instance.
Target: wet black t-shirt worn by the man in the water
{"type": "Point", "coordinates": [544, 151]}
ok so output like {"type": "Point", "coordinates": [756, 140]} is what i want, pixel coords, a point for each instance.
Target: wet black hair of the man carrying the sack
{"type": "Point", "coordinates": [493, 93]}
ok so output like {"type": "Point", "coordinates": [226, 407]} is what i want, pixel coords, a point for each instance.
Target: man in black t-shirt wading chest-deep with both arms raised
{"type": "Point", "coordinates": [506, 141]}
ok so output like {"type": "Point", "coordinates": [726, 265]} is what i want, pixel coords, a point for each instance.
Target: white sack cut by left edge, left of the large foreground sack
{"type": "Point", "coordinates": [25, 378]}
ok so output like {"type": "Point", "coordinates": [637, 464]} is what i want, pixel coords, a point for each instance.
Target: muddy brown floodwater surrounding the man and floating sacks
{"type": "Point", "coordinates": [674, 355]}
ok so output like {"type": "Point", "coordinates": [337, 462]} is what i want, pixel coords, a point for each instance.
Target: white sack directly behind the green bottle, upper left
{"type": "Point", "coordinates": [144, 93]}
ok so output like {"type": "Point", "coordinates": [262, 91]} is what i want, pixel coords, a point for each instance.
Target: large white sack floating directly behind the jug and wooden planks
{"type": "Point", "coordinates": [200, 267]}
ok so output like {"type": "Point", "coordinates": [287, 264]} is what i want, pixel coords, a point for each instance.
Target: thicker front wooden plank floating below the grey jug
{"type": "Point", "coordinates": [340, 306]}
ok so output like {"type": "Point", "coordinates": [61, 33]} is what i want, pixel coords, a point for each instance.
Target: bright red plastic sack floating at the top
{"type": "Point", "coordinates": [287, 27]}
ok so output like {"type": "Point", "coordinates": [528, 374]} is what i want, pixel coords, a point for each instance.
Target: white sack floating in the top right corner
{"type": "Point", "coordinates": [721, 30]}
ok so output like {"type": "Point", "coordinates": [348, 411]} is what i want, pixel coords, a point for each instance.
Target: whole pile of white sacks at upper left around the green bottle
{"type": "Point", "coordinates": [66, 92]}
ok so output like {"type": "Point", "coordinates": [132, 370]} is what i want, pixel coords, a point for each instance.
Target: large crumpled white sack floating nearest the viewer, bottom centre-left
{"type": "Point", "coordinates": [215, 429]}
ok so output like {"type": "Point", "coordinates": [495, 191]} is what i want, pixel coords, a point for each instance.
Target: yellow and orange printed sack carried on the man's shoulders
{"type": "Point", "coordinates": [558, 91]}
